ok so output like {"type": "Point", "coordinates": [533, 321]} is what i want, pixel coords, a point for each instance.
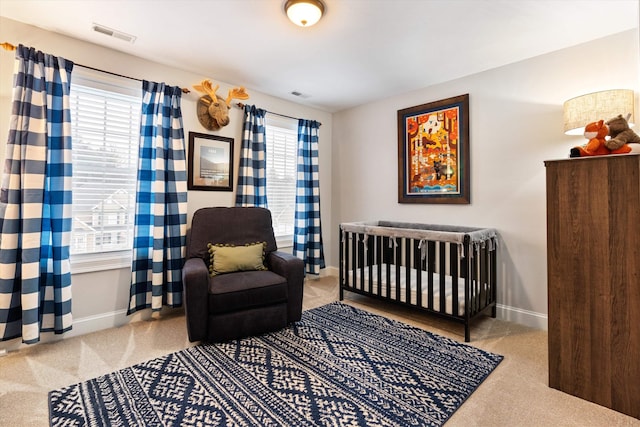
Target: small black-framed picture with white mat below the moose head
{"type": "Point", "coordinates": [210, 164]}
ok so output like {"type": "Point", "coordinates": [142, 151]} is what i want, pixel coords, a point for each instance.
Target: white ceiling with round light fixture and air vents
{"type": "Point", "coordinates": [360, 51]}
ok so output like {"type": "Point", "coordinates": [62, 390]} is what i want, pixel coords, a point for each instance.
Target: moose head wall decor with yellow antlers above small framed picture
{"type": "Point", "coordinates": [213, 110]}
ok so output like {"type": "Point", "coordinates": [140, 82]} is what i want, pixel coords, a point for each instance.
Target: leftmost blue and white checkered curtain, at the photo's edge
{"type": "Point", "coordinates": [35, 201]}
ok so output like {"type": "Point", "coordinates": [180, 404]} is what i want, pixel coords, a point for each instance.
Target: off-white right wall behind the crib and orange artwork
{"type": "Point", "coordinates": [515, 125]}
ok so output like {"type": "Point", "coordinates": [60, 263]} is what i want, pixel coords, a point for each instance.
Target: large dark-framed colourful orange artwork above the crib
{"type": "Point", "coordinates": [433, 152]}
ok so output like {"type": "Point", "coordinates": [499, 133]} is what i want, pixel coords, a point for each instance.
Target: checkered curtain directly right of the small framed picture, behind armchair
{"type": "Point", "coordinates": [252, 175]}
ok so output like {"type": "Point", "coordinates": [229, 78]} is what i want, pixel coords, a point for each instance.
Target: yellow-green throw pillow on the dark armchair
{"type": "Point", "coordinates": [230, 258]}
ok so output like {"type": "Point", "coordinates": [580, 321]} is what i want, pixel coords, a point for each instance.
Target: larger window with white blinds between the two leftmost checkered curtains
{"type": "Point", "coordinates": [105, 122]}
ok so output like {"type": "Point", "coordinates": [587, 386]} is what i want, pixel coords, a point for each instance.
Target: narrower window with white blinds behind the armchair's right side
{"type": "Point", "coordinates": [282, 137]}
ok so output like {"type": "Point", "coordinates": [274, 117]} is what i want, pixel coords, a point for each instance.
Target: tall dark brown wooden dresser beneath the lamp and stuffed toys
{"type": "Point", "coordinates": [593, 260]}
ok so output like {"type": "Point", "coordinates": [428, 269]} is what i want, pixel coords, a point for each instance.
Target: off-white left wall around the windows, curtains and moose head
{"type": "Point", "coordinates": [100, 299]}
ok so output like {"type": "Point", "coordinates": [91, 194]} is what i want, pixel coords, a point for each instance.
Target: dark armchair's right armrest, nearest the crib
{"type": "Point", "coordinates": [292, 269]}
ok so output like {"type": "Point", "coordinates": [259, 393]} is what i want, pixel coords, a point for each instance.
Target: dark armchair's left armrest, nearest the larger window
{"type": "Point", "coordinates": [195, 279]}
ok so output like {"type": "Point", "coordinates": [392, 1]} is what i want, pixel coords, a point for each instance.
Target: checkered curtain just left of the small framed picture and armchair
{"type": "Point", "coordinates": [159, 241]}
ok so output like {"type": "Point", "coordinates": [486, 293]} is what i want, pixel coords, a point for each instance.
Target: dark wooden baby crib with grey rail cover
{"type": "Point", "coordinates": [449, 271]}
